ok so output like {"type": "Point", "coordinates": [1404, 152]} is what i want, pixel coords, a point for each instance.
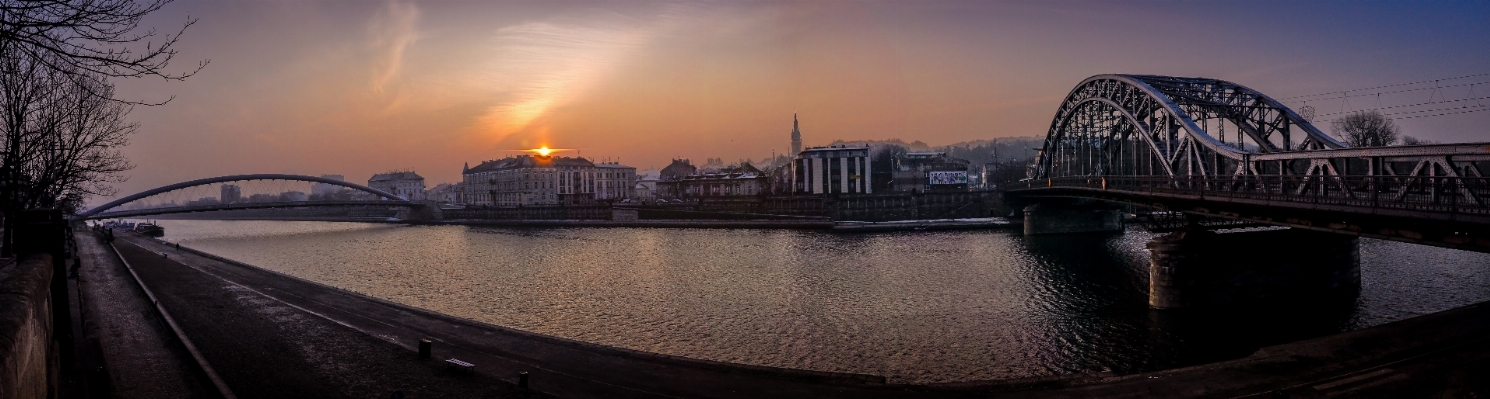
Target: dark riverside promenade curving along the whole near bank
{"type": "Point", "coordinates": [270, 336]}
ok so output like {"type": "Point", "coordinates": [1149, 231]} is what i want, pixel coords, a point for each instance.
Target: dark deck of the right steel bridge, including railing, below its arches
{"type": "Point", "coordinates": [1448, 212]}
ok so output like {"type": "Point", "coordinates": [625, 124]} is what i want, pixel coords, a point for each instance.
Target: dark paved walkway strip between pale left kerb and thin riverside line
{"type": "Point", "coordinates": [264, 348]}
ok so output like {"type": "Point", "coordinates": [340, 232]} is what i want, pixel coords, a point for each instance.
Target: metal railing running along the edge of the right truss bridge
{"type": "Point", "coordinates": [1470, 196]}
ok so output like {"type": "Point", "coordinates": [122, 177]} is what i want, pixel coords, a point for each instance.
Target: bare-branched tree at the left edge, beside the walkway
{"type": "Point", "coordinates": [62, 121]}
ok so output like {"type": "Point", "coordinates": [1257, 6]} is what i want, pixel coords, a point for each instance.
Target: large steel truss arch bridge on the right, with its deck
{"type": "Point", "coordinates": [1163, 142]}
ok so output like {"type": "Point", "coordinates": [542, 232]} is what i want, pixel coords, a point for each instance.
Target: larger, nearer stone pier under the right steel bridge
{"type": "Point", "coordinates": [1203, 269]}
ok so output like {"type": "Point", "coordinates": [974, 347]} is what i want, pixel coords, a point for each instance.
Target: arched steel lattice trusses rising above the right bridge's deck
{"type": "Point", "coordinates": [1161, 126]}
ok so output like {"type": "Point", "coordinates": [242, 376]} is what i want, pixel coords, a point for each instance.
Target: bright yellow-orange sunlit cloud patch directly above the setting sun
{"type": "Point", "coordinates": [542, 66]}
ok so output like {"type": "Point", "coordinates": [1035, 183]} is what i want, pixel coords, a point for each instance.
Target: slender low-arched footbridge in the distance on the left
{"type": "Point", "coordinates": [104, 212]}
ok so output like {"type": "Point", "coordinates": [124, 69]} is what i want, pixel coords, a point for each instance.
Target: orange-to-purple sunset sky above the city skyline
{"type": "Point", "coordinates": [367, 87]}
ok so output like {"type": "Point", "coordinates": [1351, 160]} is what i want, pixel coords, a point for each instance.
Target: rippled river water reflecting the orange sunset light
{"type": "Point", "coordinates": [914, 307]}
